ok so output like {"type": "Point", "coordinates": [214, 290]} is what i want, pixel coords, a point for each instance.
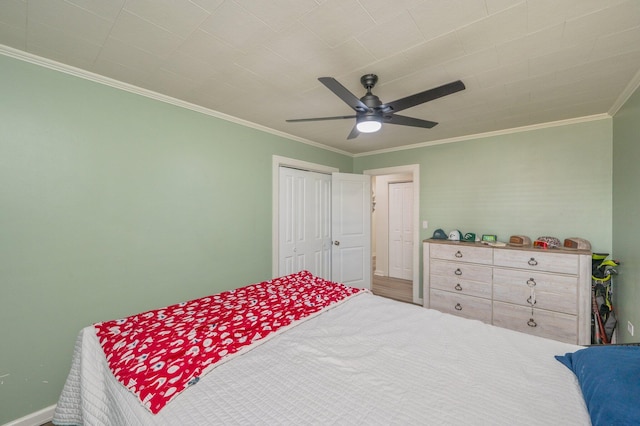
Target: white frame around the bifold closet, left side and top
{"type": "Point", "coordinates": [276, 163]}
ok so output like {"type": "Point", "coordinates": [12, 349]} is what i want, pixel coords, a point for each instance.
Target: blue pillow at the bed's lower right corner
{"type": "Point", "coordinates": [609, 377]}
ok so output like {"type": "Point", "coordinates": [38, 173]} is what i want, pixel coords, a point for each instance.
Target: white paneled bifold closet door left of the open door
{"type": "Point", "coordinates": [305, 222]}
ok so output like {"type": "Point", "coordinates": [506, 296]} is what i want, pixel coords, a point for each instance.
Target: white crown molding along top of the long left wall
{"type": "Point", "coordinates": [116, 84]}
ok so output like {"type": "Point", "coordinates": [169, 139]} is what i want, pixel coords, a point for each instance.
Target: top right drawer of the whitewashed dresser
{"type": "Point", "coordinates": [537, 260]}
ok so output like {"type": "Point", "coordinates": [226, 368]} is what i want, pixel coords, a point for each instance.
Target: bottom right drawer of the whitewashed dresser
{"type": "Point", "coordinates": [552, 325]}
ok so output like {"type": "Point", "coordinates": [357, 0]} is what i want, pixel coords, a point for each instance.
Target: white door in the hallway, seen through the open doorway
{"type": "Point", "coordinates": [401, 230]}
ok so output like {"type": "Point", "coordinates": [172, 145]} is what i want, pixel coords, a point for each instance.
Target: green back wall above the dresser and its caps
{"type": "Point", "coordinates": [554, 181]}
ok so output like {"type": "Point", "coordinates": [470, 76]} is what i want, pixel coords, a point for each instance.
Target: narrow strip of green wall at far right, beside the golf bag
{"type": "Point", "coordinates": [626, 210]}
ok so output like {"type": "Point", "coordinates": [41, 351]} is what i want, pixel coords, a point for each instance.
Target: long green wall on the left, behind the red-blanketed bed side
{"type": "Point", "coordinates": [112, 203]}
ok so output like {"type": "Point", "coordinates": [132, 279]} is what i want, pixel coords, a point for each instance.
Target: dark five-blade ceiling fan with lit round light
{"type": "Point", "coordinates": [371, 112]}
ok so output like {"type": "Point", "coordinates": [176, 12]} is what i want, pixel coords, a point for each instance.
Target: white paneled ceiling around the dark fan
{"type": "Point", "coordinates": [524, 62]}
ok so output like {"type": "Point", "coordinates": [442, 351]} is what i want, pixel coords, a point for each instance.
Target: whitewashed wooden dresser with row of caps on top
{"type": "Point", "coordinates": [542, 292]}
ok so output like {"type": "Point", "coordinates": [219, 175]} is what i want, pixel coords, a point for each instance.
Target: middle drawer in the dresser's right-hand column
{"type": "Point", "coordinates": [553, 292]}
